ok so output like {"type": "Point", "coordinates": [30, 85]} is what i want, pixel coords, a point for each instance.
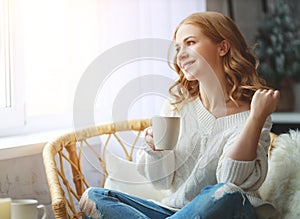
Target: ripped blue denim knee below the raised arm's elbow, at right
{"type": "Point", "coordinates": [223, 200]}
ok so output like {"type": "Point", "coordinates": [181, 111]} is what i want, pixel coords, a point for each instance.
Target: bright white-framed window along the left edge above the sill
{"type": "Point", "coordinates": [11, 107]}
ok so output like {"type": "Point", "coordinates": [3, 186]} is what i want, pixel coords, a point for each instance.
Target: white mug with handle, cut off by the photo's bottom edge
{"type": "Point", "coordinates": [27, 209]}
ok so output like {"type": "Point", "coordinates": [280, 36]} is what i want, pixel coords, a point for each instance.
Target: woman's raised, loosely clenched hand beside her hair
{"type": "Point", "coordinates": [264, 102]}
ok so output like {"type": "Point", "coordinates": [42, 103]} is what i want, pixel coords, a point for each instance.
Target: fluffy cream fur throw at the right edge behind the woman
{"type": "Point", "coordinates": [282, 184]}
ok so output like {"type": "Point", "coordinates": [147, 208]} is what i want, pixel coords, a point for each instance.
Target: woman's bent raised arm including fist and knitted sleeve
{"type": "Point", "coordinates": [244, 159]}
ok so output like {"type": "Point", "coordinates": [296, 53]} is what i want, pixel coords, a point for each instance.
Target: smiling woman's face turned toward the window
{"type": "Point", "coordinates": [196, 53]}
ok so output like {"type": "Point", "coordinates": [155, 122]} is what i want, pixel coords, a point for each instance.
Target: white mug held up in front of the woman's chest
{"type": "Point", "coordinates": [165, 131]}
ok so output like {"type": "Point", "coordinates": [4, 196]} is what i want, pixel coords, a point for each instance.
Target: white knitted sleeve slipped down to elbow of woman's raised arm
{"type": "Point", "coordinates": [248, 175]}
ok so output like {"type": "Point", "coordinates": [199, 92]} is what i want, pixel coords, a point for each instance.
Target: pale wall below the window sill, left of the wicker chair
{"type": "Point", "coordinates": [24, 177]}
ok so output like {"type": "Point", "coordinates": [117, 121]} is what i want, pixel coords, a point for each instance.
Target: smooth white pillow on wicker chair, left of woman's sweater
{"type": "Point", "coordinates": [124, 177]}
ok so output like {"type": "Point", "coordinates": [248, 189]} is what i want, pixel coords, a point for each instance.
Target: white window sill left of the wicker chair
{"type": "Point", "coordinates": [32, 137]}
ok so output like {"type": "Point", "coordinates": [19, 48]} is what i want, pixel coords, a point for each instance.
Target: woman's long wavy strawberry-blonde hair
{"type": "Point", "coordinates": [240, 64]}
